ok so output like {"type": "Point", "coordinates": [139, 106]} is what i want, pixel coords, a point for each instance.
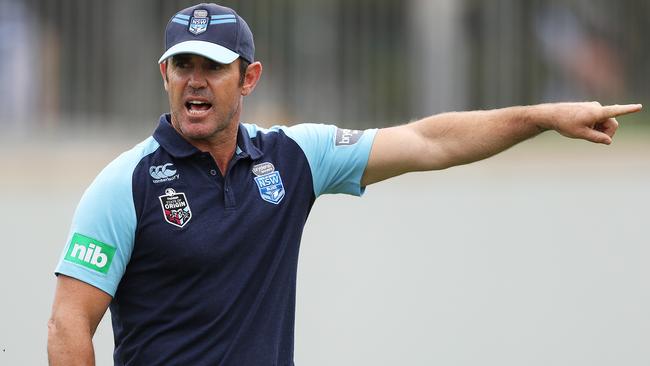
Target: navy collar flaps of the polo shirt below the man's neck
{"type": "Point", "coordinates": [178, 147]}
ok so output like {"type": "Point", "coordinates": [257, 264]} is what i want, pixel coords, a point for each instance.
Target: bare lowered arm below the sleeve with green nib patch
{"type": "Point", "coordinates": [78, 307]}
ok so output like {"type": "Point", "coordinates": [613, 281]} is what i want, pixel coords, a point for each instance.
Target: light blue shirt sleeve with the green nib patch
{"type": "Point", "coordinates": [100, 240]}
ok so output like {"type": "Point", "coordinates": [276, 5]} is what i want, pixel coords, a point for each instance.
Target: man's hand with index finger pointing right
{"type": "Point", "coordinates": [590, 121]}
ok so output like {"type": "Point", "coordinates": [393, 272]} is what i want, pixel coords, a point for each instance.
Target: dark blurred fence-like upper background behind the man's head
{"type": "Point", "coordinates": [92, 64]}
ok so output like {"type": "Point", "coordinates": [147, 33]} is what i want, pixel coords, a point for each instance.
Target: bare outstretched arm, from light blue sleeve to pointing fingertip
{"type": "Point", "coordinates": [457, 138]}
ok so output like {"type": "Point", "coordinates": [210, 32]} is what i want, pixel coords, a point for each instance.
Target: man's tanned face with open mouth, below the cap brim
{"type": "Point", "coordinates": [204, 96]}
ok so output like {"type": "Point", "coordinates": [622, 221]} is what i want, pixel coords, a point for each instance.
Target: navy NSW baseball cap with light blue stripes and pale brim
{"type": "Point", "coordinates": [209, 30]}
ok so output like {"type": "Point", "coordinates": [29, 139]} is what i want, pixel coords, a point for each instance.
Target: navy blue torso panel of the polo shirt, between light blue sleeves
{"type": "Point", "coordinates": [231, 264]}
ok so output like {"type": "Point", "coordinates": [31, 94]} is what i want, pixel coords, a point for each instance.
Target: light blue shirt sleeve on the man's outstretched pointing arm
{"type": "Point", "coordinates": [337, 157]}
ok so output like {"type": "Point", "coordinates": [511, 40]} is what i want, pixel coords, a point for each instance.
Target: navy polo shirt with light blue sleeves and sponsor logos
{"type": "Point", "coordinates": [202, 266]}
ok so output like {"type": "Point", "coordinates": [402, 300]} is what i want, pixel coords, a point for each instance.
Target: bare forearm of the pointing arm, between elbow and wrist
{"type": "Point", "coordinates": [458, 138]}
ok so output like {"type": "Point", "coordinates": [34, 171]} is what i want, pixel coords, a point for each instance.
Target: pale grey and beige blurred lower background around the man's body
{"type": "Point", "coordinates": [538, 256]}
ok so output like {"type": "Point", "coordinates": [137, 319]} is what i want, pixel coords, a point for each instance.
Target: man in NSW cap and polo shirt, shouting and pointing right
{"type": "Point", "coordinates": [192, 236]}
